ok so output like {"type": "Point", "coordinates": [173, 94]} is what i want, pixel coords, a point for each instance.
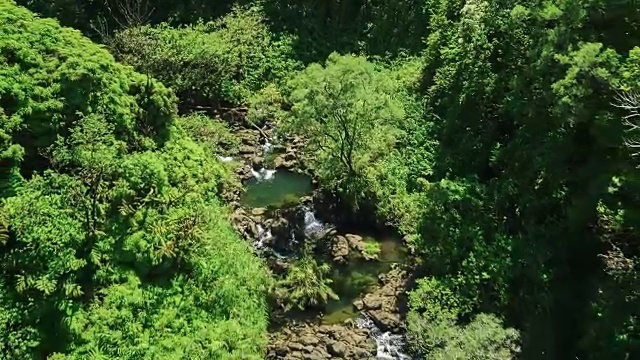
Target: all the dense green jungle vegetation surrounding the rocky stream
{"type": "Point", "coordinates": [498, 136]}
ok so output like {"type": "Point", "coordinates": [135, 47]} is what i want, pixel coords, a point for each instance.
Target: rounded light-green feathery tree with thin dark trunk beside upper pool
{"type": "Point", "coordinates": [348, 112]}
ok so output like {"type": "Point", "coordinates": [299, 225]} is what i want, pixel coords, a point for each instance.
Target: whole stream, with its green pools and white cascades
{"type": "Point", "coordinates": [275, 189]}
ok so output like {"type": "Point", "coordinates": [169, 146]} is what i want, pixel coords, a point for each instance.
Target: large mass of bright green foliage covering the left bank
{"type": "Point", "coordinates": [114, 244]}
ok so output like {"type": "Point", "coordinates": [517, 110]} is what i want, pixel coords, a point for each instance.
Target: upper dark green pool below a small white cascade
{"type": "Point", "coordinates": [283, 186]}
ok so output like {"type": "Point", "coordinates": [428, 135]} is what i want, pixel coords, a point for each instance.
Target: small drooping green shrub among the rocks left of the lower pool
{"type": "Point", "coordinates": [306, 284]}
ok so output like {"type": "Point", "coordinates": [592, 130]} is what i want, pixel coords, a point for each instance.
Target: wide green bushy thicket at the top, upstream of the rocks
{"type": "Point", "coordinates": [208, 64]}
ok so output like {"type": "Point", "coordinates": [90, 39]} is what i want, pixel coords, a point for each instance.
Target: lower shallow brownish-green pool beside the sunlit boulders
{"type": "Point", "coordinates": [358, 277]}
